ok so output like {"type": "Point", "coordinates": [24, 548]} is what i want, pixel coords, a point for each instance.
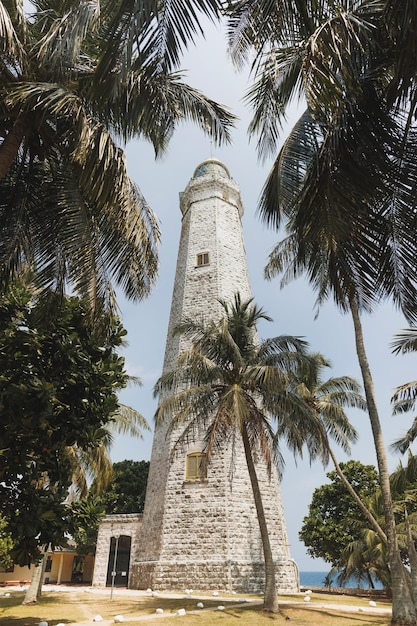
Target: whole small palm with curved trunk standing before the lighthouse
{"type": "Point", "coordinates": [228, 382]}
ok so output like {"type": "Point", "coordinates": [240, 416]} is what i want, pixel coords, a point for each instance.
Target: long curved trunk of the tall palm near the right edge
{"type": "Point", "coordinates": [403, 609]}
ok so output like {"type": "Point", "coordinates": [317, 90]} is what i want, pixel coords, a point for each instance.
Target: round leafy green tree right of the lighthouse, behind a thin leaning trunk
{"type": "Point", "coordinates": [331, 521]}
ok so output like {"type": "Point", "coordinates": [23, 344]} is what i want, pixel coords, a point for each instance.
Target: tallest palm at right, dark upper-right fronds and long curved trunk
{"type": "Point", "coordinates": [344, 180]}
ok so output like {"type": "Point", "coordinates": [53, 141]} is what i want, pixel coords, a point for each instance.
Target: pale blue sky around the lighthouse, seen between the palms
{"type": "Point", "coordinates": [292, 308]}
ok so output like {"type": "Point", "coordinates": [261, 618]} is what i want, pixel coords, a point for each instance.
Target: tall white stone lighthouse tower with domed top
{"type": "Point", "coordinates": [200, 528]}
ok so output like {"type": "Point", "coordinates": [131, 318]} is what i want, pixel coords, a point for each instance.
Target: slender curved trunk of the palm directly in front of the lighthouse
{"type": "Point", "coordinates": [270, 594]}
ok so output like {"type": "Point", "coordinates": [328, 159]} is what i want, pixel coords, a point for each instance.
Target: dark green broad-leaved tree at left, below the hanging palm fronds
{"type": "Point", "coordinates": [59, 378]}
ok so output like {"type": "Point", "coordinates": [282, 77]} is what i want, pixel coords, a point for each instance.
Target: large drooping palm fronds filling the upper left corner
{"type": "Point", "coordinates": [75, 78]}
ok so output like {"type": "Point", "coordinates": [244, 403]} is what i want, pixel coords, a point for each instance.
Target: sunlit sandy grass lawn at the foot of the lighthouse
{"type": "Point", "coordinates": [78, 606]}
